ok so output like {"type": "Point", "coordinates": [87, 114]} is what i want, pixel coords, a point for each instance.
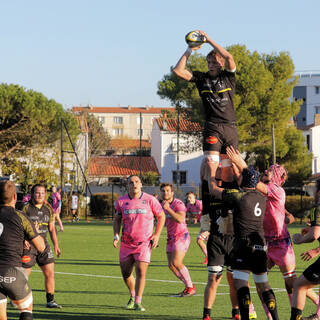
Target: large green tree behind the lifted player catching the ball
{"type": "Point", "coordinates": [264, 86]}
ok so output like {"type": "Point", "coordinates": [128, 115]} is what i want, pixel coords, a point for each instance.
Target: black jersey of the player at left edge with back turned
{"type": "Point", "coordinates": [15, 227]}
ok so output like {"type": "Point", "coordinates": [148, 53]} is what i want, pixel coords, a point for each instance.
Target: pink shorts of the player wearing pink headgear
{"type": "Point", "coordinates": [281, 252]}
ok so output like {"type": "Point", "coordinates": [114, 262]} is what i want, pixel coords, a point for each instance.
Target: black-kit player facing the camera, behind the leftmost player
{"type": "Point", "coordinates": [41, 215]}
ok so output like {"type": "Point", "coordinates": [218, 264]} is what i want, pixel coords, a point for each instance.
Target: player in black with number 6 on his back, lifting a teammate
{"type": "Point", "coordinates": [249, 250]}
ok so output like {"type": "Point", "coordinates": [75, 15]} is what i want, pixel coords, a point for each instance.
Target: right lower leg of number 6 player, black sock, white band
{"type": "Point", "coordinates": [268, 297]}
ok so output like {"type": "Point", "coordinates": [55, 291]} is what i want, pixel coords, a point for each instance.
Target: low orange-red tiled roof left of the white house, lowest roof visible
{"type": "Point", "coordinates": [121, 165]}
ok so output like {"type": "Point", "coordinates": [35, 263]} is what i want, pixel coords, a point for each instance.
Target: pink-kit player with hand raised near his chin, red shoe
{"type": "Point", "coordinates": [178, 239]}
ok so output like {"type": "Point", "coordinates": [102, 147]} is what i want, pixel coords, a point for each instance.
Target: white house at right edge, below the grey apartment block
{"type": "Point", "coordinates": [312, 135]}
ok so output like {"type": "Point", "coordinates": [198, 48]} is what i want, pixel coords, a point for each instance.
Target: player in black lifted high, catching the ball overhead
{"type": "Point", "coordinates": [216, 89]}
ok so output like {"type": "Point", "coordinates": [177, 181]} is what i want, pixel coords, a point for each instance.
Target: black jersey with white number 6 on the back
{"type": "Point", "coordinates": [248, 212]}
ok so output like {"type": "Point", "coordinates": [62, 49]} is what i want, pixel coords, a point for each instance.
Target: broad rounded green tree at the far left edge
{"type": "Point", "coordinates": [29, 122]}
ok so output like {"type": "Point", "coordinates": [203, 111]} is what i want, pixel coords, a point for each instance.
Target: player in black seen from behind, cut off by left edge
{"type": "Point", "coordinates": [15, 227]}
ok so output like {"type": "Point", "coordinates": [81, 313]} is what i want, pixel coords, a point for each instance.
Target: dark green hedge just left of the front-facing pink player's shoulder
{"type": "Point", "coordinates": [101, 204]}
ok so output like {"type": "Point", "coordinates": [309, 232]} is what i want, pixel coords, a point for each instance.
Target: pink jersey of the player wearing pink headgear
{"type": "Point", "coordinates": [274, 219]}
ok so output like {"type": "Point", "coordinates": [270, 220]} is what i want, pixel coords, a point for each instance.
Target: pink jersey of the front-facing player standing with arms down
{"type": "Point", "coordinates": [137, 217]}
